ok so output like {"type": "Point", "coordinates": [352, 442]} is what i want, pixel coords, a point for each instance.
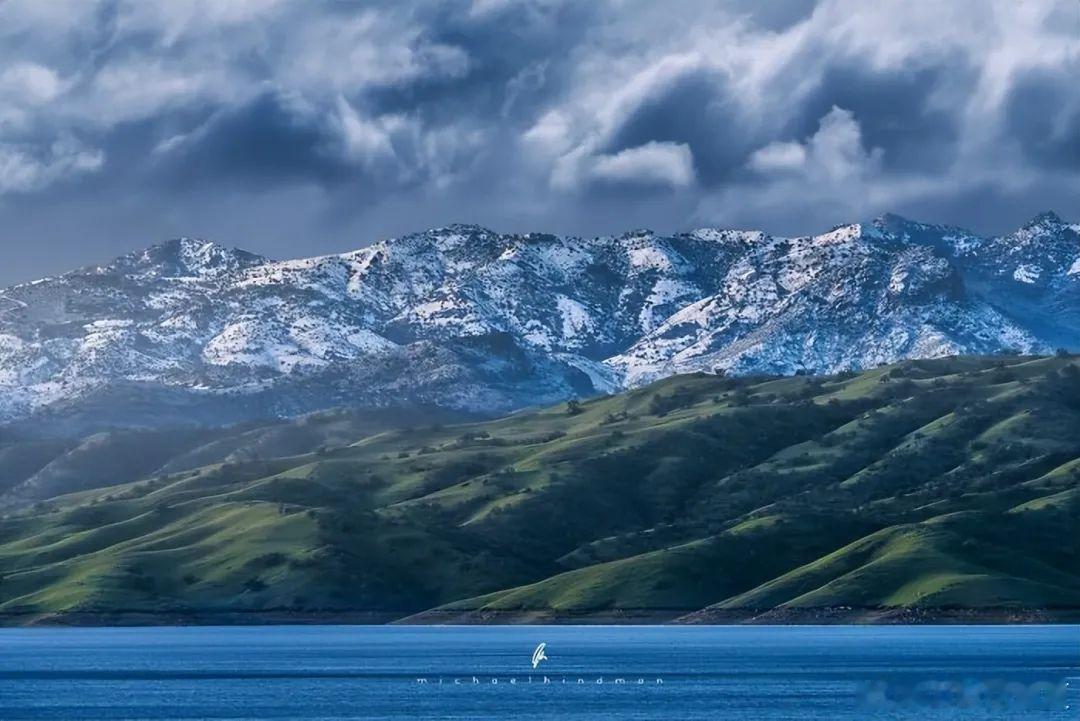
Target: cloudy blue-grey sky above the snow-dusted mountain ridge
{"type": "Point", "coordinates": [301, 128]}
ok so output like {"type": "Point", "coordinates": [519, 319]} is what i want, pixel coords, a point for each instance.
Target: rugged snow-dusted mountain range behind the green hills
{"type": "Point", "coordinates": [467, 318]}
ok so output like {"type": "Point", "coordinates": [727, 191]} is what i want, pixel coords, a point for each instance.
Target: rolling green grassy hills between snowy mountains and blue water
{"type": "Point", "coordinates": [948, 484]}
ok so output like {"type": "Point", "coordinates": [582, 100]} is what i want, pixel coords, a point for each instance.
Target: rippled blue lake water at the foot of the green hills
{"type": "Point", "coordinates": [739, 674]}
